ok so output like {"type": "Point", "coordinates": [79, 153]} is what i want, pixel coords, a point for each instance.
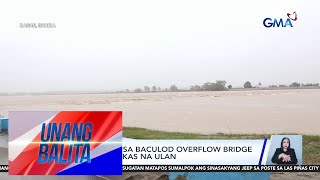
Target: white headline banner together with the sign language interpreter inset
{"type": "Point", "coordinates": [279, 150]}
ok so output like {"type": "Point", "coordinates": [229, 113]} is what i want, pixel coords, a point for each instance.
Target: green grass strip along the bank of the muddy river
{"type": "Point", "coordinates": [311, 144]}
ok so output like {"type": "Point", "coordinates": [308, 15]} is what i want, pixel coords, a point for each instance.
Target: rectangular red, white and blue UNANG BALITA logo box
{"type": "Point", "coordinates": [65, 143]}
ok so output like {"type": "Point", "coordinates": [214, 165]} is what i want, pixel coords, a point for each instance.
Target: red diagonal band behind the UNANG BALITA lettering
{"type": "Point", "coordinates": [105, 125]}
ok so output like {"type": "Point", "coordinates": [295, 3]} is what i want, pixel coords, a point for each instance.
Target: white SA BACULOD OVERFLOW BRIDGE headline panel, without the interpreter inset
{"type": "Point", "coordinates": [193, 152]}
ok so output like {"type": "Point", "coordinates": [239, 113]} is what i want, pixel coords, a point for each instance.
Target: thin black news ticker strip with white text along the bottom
{"type": "Point", "coordinates": [212, 168]}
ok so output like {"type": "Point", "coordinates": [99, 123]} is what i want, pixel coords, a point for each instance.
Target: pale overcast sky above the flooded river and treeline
{"type": "Point", "coordinates": [104, 45]}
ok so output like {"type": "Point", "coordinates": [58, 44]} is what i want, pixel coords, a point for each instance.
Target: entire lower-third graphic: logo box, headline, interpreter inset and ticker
{"type": "Point", "coordinates": [90, 143]}
